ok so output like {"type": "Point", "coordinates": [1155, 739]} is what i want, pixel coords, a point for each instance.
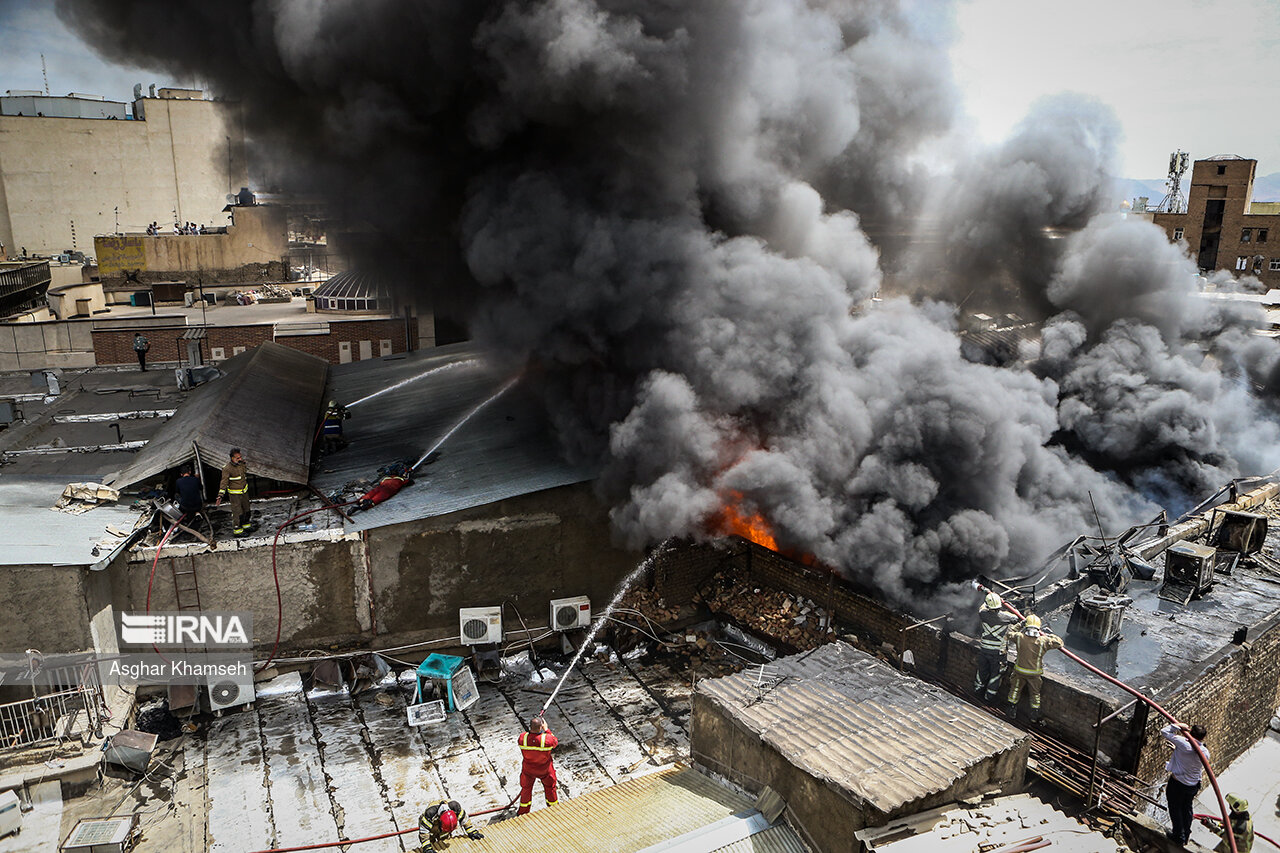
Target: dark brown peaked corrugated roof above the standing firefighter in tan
{"type": "Point", "coordinates": [268, 403]}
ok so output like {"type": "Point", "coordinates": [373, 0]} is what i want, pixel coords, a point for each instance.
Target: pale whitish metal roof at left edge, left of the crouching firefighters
{"type": "Point", "coordinates": [35, 535]}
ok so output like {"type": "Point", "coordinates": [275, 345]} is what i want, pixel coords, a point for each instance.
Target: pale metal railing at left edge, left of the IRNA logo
{"type": "Point", "coordinates": [54, 710]}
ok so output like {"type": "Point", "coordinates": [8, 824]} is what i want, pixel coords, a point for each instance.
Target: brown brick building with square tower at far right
{"type": "Point", "coordinates": [1223, 227]}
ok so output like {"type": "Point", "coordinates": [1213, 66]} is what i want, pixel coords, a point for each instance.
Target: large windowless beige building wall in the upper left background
{"type": "Point", "coordinates": [66, 179]}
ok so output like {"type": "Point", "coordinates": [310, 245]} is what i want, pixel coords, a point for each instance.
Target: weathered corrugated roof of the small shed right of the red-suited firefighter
{"type": "Point", "coordinates": [862, 727]}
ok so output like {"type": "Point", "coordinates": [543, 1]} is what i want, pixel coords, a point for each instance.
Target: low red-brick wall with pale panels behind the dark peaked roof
{"type": "Point", "coordinates": [116, 346]}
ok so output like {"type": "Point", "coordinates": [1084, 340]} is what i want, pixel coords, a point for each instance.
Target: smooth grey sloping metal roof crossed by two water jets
{"type": "Point", "coordinates": [505, 450]}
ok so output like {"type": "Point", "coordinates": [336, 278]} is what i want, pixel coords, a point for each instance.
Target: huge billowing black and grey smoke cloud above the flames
{"type": "Point", "coordinates": [673, 211]}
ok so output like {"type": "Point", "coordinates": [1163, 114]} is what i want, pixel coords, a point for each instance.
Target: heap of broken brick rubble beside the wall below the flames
{"type": "Point", "coordinates": [790, 621]}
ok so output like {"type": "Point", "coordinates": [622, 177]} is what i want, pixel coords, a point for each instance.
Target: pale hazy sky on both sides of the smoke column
{"type": "Point", "coordinates": [1199, 76]}
